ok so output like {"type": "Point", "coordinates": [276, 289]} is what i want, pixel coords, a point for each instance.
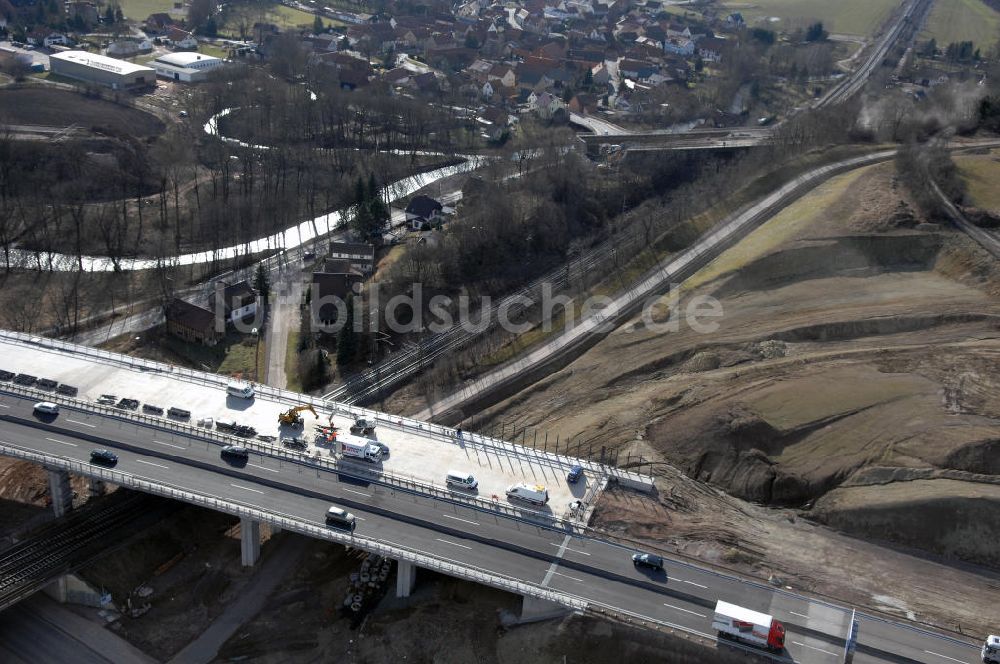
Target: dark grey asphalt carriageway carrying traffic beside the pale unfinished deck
{"type": "Point", "coordinates": [579, 564]}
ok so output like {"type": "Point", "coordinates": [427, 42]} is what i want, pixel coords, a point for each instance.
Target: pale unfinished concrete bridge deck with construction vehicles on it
{"type": "Point", "coordinates": [427, 458]}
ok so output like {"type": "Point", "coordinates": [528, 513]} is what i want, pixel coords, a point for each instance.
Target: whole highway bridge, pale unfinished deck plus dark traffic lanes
{"type": "Point", "coordinates": [404, 509]}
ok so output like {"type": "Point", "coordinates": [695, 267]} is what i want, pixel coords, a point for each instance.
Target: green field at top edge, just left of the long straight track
{"type": "Point", "coordinates": [853, 17]}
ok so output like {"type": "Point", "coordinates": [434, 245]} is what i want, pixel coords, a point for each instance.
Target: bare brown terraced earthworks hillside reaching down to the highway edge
{"type": "Point", "coordinates": [850, 379]}
